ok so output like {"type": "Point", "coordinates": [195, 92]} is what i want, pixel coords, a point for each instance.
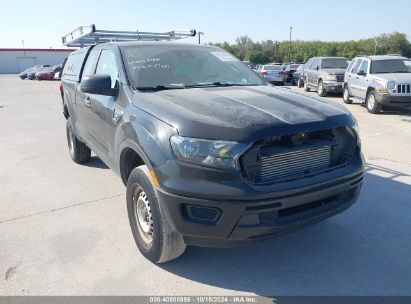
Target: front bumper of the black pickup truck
{"type": "Point", "coordinates": [241, 221]}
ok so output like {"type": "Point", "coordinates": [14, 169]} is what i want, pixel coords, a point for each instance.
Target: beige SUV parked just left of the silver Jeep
{"type": "Point", "coordinates": [325, 74]}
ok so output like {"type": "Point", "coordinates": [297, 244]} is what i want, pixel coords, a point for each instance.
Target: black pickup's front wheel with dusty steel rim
{"type": "Point", "coordinates": [154, 237]}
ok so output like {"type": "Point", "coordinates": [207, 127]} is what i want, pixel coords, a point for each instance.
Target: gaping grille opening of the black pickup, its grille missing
{"type": "Point", "coordinates": [286, 158]}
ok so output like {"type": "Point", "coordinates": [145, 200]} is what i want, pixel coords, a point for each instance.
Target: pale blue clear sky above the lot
{"type": "Point", "coordinates": [41, 23]}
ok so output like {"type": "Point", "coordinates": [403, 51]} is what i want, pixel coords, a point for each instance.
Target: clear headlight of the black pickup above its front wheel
{"type": "Point", "coordinates": [218, 154]}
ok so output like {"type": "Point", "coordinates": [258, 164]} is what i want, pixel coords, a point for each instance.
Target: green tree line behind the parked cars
{"type": "Point", "coordinates": [278, 51]}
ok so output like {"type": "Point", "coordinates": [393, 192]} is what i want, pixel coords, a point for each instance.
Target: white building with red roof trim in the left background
{"type": "Point", "coordinates": [14, 61]}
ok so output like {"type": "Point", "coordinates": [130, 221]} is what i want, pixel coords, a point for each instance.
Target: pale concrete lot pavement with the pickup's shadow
{"type": "Point", "coordinates": [64, 227]}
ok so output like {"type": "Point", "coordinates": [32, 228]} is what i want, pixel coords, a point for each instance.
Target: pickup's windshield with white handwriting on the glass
{"type": "Point", "coordinates": [175, 66]}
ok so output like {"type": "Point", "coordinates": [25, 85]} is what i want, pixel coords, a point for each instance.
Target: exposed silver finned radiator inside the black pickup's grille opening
{"type": "Point", "coordinates": [295, 164]}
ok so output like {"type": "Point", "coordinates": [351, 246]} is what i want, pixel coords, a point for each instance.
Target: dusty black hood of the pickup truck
{"type": "Point", "coordinates": [242, 114]}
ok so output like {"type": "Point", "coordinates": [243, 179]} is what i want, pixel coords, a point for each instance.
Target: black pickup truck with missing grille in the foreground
{"type": "Point", "coordinates": [211, 155]}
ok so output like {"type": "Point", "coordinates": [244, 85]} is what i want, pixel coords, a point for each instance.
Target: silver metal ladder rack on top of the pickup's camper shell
{"type": "Point", "coordinates": [86, 35]}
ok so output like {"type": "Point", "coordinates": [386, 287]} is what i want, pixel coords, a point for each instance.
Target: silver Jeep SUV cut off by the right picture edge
{"type": "Point", "coordinates": [378, 81]}
